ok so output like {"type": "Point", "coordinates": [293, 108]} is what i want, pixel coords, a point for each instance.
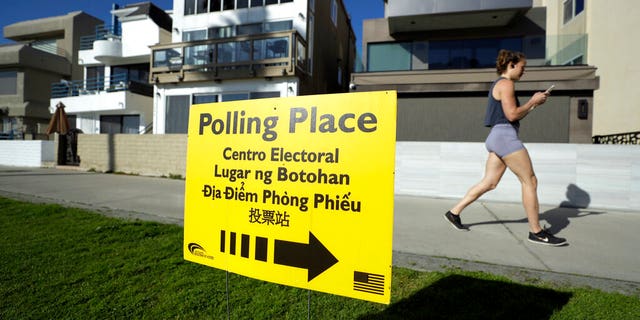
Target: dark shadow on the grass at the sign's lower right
{"type": "Point", "coordinates": [462, 297]}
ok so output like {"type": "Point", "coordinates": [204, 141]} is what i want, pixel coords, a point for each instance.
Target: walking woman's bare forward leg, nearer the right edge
{"type": "Point", "coordinates": [519, 163]}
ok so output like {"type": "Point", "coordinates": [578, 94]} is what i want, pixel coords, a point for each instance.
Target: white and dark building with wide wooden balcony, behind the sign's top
{"type": "Point", "coordinates": [226, 50]}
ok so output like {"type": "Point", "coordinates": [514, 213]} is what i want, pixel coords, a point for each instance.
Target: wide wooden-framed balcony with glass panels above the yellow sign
{"type": "Point", "coordinates": [268, 55]}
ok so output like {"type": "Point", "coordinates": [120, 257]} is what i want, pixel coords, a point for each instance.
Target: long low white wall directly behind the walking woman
{"type": "Point", "coordinates": [580, 175]}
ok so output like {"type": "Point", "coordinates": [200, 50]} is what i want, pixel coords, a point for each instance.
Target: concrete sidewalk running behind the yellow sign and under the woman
{"type": "Point", "coordinates": [602, 250]}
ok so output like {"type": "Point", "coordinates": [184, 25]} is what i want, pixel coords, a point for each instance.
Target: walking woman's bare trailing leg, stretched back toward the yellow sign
{"type": "Point", "coordinates": [493, 172]}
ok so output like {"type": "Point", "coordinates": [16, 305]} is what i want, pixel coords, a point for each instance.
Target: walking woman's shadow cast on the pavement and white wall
{"type": "Point", "coordinates": [558, 218]}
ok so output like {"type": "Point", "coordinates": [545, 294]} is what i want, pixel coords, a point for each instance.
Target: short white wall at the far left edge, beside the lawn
{"type": "Point", "coordinates": [21, 153]}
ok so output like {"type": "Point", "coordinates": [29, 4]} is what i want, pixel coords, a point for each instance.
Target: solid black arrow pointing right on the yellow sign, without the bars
{"type": "Point", "coordinates": [313, 256]}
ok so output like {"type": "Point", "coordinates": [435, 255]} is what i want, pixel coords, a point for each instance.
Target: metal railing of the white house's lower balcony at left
{"type": "Point", "coordinates": [118, 82]}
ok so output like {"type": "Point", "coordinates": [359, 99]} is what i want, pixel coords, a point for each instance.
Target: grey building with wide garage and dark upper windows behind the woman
{"type": "Point", "coordinates": [444, 63]}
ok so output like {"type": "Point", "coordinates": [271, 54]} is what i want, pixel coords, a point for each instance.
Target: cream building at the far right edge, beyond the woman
{"type": "Point", "coordinates": [605, 28]}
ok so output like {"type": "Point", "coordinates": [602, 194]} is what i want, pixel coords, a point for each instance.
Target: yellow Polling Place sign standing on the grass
{"type": "Point", "coordinates": [297, 191]}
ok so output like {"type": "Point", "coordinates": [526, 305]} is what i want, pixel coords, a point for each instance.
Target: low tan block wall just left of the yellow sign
{"type": "Point", "coordinates": [153, 155]}
